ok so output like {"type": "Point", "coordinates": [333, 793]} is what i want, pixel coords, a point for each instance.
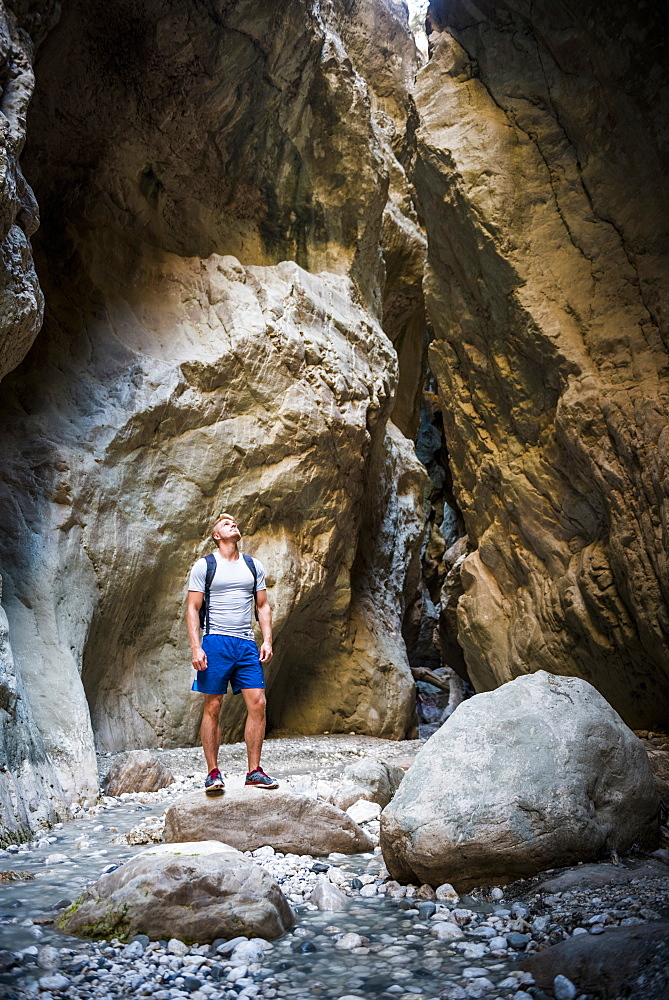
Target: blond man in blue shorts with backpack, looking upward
{"type": "Point", "coordinates": [228, 651]}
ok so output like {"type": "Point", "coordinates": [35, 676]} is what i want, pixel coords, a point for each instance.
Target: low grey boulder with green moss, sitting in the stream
{"type": "Point", "coordinates": [196, 892]}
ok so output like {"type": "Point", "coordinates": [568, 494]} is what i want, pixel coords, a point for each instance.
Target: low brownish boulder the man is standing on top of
{"type": "Point", "coordinates": [248, 818]}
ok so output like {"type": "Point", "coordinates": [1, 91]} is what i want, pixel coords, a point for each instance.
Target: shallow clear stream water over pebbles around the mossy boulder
{"type": "Point", "coordinates": [398, 956]}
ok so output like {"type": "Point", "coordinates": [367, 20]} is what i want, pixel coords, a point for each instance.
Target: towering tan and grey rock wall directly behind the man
{"type": "Point", "coordinates": [217, 257]}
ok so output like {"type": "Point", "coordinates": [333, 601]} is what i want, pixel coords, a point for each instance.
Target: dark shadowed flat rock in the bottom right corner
{"type": "Point", "coordinates": [623, 962]}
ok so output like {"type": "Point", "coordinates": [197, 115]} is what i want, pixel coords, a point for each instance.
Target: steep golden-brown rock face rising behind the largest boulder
{"type": "Point", "coordinates": [542, 179]}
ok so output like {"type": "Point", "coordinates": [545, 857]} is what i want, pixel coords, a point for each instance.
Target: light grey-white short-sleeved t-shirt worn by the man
{"type": "Point", "coordinates": [230, 595]}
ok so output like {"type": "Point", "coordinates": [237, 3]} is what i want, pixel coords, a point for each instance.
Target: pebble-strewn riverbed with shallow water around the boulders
{"type": "Point", "coordinates": [395, 942]}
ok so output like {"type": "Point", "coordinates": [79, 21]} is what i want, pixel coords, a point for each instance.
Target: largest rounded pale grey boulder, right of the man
{"type": "Point", "coordinates": [539, 773]}
